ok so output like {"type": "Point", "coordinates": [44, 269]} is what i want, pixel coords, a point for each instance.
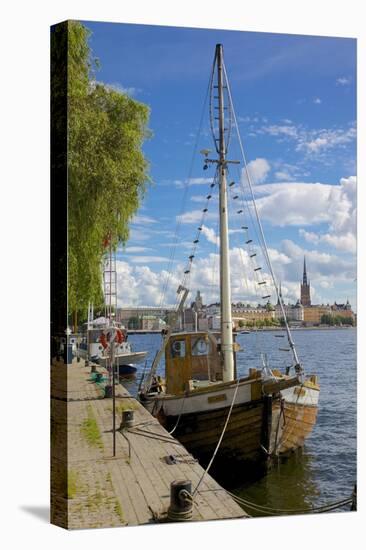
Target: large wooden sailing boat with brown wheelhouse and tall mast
{"type": "Point", "coordinates": [241, 421]}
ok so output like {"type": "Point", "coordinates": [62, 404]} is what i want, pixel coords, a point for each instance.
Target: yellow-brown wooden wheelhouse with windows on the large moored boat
{"type": "Point", "coordinates": [192, 360]}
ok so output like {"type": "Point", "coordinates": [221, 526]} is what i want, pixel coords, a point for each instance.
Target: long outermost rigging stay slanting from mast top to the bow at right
{"type": "Point", "coordinates": [297, 365]}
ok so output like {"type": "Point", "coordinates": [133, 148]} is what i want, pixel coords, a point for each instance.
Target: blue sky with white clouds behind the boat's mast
{"type": "Point", "coordinates": [295, 102]}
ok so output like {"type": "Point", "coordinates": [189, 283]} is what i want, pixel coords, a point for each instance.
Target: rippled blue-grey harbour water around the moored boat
{"type": "Point", "coordinates": [325, 470]}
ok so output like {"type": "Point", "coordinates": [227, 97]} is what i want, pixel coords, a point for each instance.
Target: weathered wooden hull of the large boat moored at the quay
{"type": "Point", "coordinates": [258, 430]}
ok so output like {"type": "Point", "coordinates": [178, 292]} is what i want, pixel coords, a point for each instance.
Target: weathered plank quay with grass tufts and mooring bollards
{"type": "Point", "coordinates": [90, 487]}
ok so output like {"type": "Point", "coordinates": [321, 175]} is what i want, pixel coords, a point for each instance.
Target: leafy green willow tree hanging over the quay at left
{"type": "Point", "coordinates": [107, 171]}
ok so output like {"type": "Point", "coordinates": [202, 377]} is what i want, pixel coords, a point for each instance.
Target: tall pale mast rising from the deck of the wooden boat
{"type": "Point", "coordinates": [225, 288]}
